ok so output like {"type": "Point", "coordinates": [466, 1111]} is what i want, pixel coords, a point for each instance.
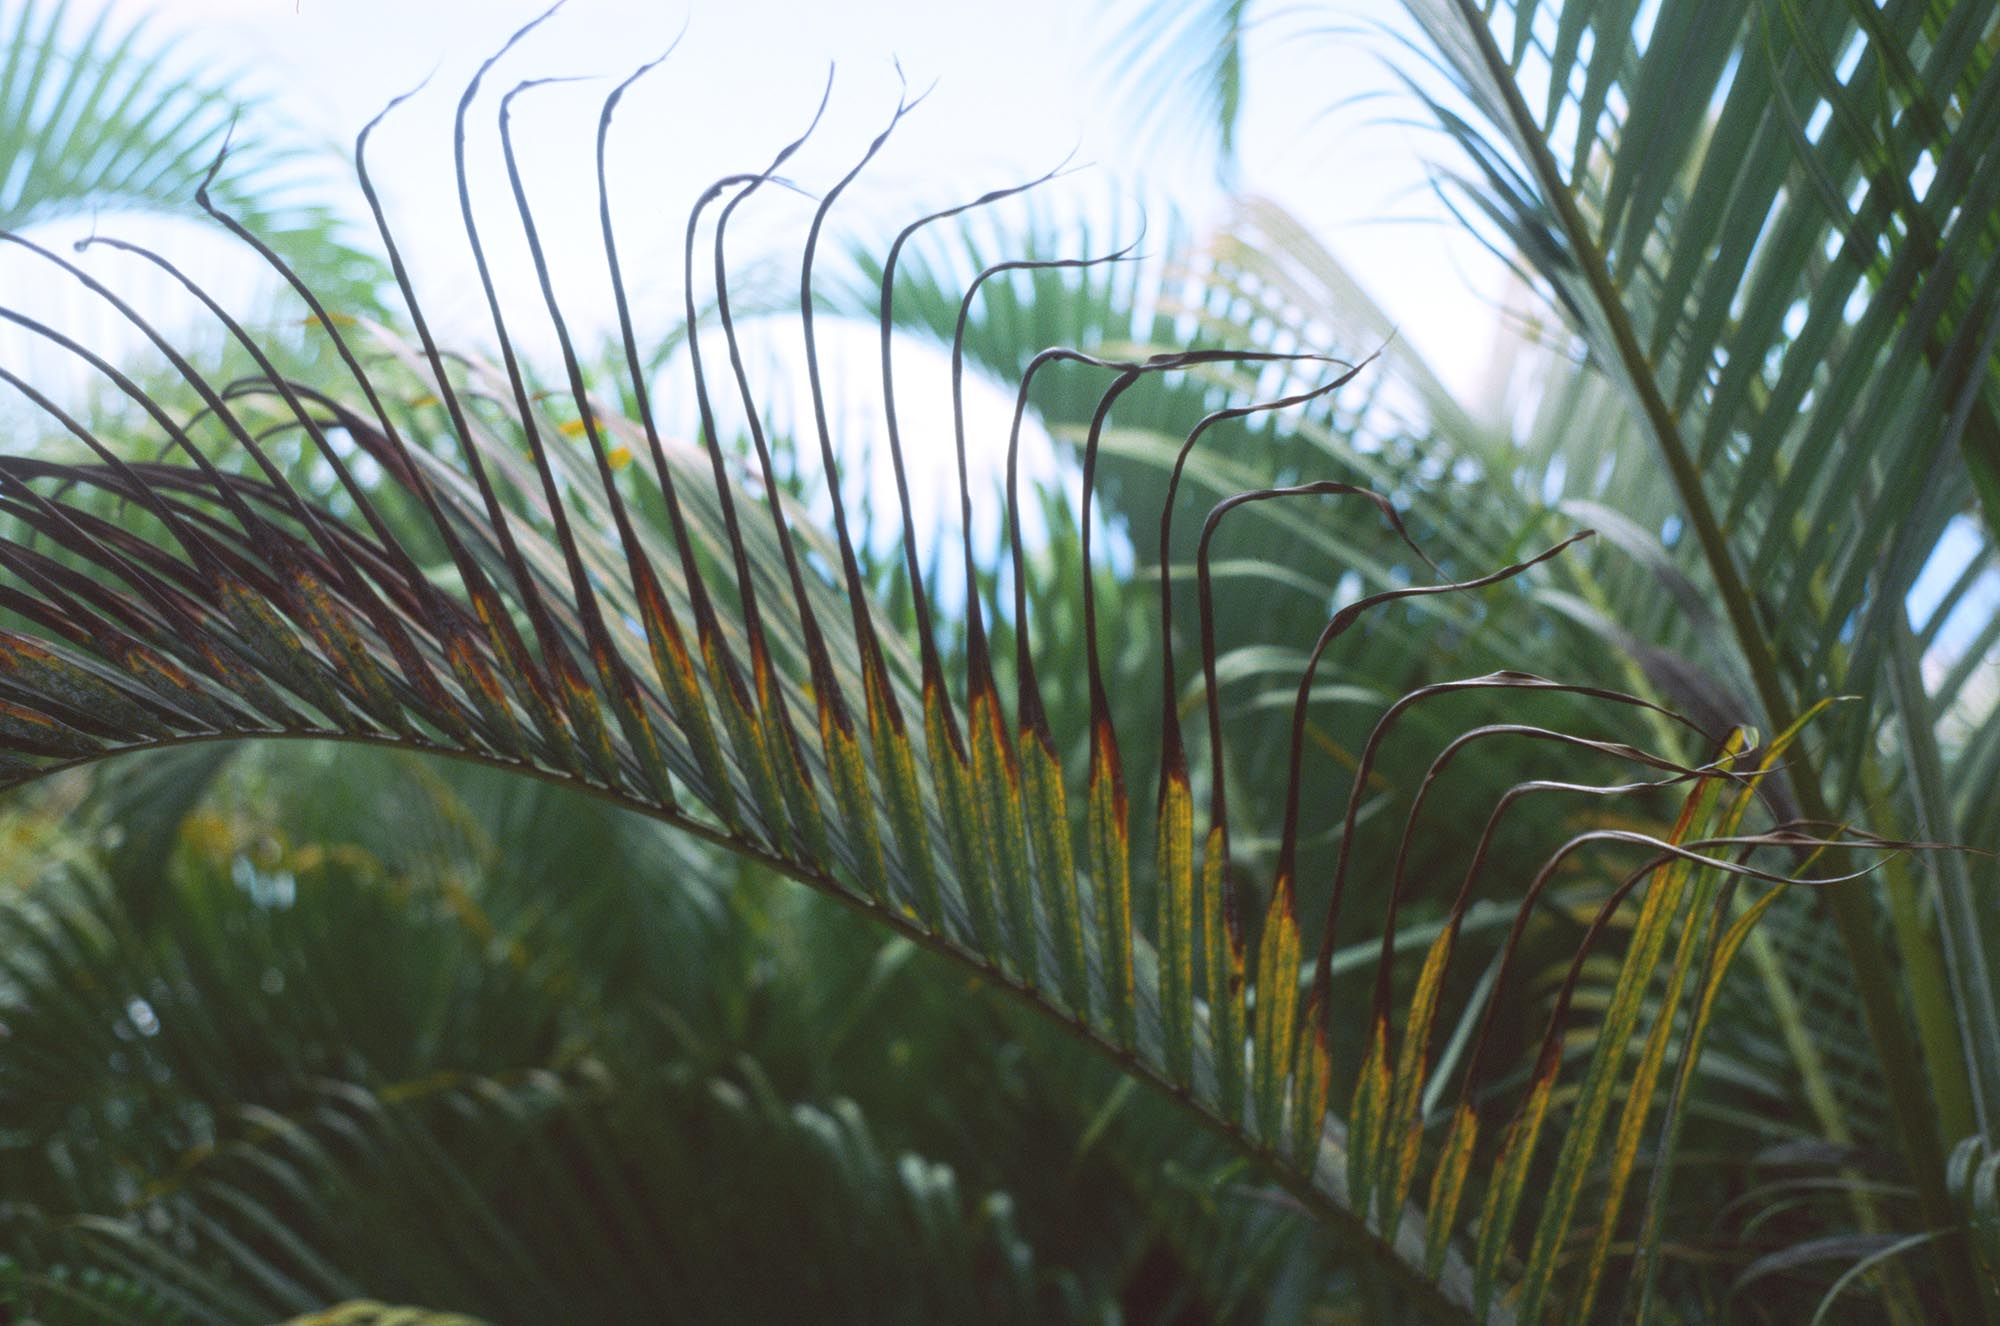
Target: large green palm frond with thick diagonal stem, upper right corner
{"type": "Point", "coordinates": [1801, 317]}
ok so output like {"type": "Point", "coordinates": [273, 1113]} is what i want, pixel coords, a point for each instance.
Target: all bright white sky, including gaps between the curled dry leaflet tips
{"type": "Point", "coordinates": [1013, 91]}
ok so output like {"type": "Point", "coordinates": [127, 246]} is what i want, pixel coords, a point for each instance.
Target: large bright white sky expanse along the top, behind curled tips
{"type": "Point", "coordinates": [1015, 89]}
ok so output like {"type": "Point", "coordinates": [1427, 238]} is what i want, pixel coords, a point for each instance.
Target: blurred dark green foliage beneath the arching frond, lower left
{"type": "Point", "coordinates": [323, 1065]}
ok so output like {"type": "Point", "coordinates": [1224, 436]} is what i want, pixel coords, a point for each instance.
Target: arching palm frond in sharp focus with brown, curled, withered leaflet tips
{"type": "Point", "coordinates": [723, 669]}
